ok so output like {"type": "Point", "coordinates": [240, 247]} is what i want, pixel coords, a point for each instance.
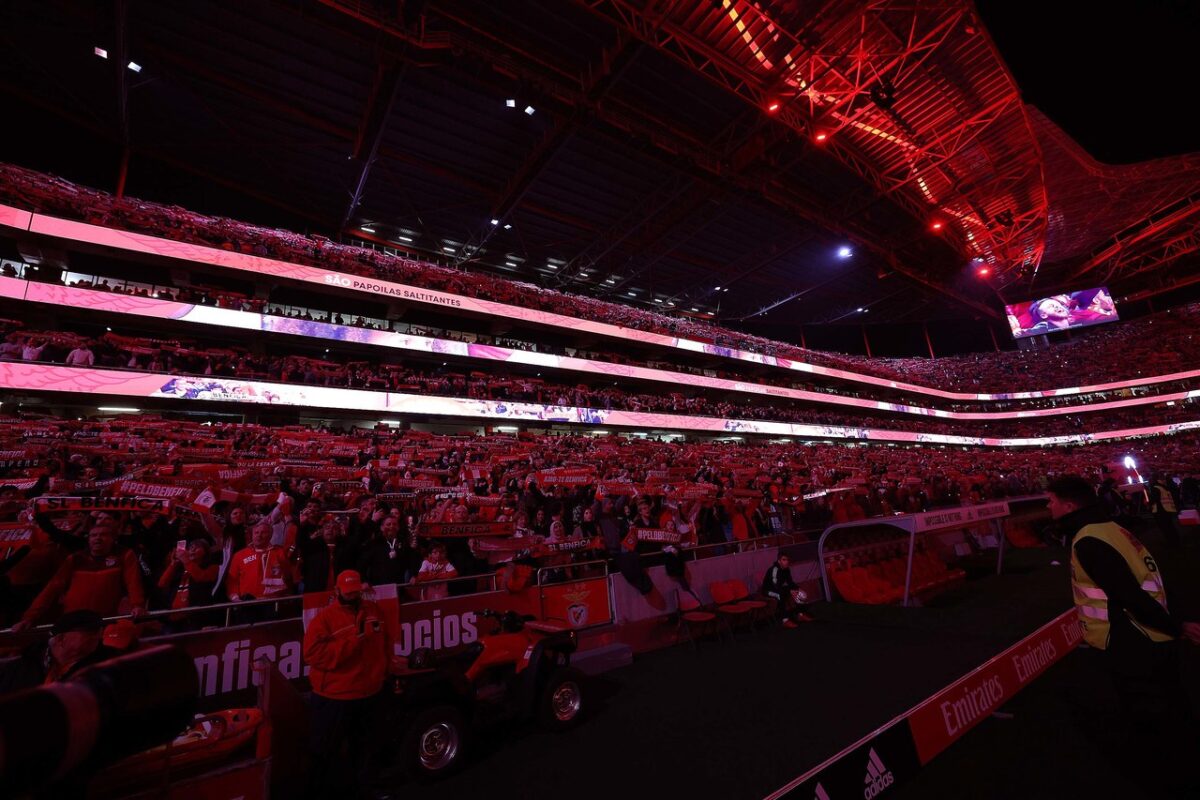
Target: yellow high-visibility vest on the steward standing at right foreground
{"type": "Point", "coordinates": [1091, 603]}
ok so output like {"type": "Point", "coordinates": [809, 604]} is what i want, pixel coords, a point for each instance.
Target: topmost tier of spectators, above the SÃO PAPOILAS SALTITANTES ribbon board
{"type": "Point", "coordinates": [1138, 348]}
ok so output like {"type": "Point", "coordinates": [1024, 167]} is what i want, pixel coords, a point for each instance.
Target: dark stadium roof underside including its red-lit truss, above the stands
{"type": "Point", "coordinates": [718, 155]}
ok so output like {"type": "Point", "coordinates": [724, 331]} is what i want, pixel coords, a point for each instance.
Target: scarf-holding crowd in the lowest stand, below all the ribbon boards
{"type": "Point", "coordinates": [261, 513]}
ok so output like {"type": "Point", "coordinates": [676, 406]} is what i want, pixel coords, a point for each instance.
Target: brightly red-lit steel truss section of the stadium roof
{"type": "Point", "coordinates": [911, 97]}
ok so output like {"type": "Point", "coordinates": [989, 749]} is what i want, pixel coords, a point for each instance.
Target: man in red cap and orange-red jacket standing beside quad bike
{"type": "Point", "coordinates": [350, 652]}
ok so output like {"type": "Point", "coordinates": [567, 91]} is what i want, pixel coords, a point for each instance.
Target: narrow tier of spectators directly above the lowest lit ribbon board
{"type": "Point", "coordinates": [199, 358]}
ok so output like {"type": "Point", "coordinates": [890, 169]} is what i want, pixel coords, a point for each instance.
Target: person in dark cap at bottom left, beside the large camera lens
{"type": "Point", "coordinates": [75, 645]}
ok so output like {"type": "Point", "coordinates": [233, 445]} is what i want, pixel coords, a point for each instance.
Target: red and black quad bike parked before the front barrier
{"type": "Point", "coordinates": [520, 672]}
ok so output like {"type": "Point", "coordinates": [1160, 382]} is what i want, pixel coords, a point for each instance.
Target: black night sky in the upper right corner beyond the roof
{"type": "Point", "coordinates": [1119, 77]}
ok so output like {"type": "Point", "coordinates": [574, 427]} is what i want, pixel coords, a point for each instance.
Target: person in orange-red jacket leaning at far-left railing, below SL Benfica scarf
{"type": "Point", "coordinates": [99, 580]}
